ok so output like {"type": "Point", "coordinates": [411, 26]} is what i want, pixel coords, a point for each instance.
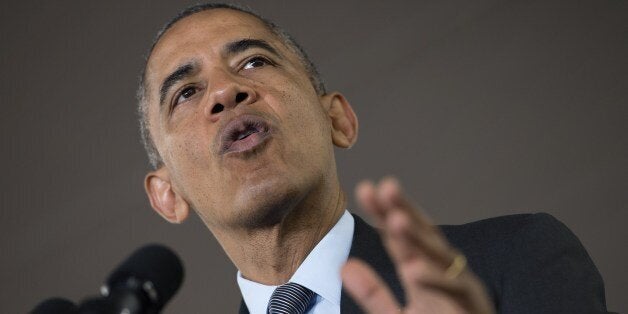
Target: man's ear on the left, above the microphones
{"type": "Point", "coordinates": [163, 198]}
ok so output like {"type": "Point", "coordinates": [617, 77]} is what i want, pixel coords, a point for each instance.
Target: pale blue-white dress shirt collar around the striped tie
{"type": "Point", "coordinates": [319, 272]}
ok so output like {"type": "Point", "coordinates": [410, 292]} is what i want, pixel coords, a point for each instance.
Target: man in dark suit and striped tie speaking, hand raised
{"type": "Point", "coordinates": [239, 128]}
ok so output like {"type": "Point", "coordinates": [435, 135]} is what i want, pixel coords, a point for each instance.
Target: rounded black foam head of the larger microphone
{"type": "Point", "coordinates": [156, 267]}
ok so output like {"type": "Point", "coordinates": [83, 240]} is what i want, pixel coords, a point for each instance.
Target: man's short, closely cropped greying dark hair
{"type": "Point", "coordinates": [154, 157]}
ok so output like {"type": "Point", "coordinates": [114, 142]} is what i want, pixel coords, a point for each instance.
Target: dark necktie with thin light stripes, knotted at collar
{"type": "Point", "coordinates": [290, 298]}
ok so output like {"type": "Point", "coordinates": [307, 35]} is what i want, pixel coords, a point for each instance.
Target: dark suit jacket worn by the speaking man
{"type": "Point", "coordinates": [529, 263]}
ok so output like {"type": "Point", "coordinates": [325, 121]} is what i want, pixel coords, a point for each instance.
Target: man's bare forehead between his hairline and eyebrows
{"type": "Point", "coordinates": [202, 34]}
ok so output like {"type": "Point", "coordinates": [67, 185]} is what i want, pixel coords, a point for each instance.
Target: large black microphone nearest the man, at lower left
{"type": "Point", "coordinates": [142, 284]}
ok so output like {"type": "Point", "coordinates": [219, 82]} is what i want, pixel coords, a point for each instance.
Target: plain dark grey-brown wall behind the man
{"type": "Point", "coordinates": [482, 108]}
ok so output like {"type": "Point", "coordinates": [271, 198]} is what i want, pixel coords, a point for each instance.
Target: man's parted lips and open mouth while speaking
{"type": "Point", "coordinates": [244, 133]}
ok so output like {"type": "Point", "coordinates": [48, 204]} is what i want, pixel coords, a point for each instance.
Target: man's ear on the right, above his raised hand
{"type": "Point", "coordinates": [343, 119]}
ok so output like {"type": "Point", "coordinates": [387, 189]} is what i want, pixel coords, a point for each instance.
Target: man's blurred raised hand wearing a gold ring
{"type": "Point", "coordinates": [434, 275]}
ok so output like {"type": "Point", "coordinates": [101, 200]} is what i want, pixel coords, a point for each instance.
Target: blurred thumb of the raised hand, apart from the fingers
{"type": "Point", "coordinates": [367, 289]}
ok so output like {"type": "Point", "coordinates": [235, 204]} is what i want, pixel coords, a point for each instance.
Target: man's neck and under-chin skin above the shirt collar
{"type": "Point", "coordinates": [271, 254]}
